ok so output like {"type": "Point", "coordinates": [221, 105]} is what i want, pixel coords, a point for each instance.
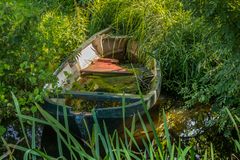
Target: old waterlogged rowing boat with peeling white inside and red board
{"type": "Point", "coordinates": [100, 55]}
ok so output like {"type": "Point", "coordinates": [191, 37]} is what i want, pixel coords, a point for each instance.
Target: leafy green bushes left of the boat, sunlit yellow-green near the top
{"type": "Point", "coordinates": [34, 38]}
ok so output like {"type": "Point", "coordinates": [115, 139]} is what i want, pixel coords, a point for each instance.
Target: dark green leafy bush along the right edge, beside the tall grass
{"type": "Point", "coordinates": [219, 85]}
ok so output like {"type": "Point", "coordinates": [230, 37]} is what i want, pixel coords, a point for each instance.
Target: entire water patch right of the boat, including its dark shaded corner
{"type": "Point", "coordinates": [191, 127]}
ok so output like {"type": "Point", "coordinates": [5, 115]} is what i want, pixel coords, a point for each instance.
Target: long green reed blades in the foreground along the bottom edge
{"type": "Point", "coordinates": [113, 145]}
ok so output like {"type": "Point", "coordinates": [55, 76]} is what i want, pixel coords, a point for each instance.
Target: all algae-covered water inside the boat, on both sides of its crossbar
{"type": "Point", "coordinates": [110, 83]}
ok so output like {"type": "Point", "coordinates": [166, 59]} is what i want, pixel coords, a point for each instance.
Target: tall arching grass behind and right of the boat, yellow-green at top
{"type": "Point", "coordinates": [185, 45]}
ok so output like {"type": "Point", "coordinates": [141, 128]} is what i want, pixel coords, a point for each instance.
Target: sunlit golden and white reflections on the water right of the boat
{"type": "Point", "coordinates": [182, 123]}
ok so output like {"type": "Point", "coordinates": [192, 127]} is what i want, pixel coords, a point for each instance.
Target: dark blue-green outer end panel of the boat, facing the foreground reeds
{"type": "Point", "coordinates": [112, 117]}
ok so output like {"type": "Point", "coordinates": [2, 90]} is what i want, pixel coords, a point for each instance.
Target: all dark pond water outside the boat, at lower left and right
{"type": "Point", "coordinates": [191, 126]}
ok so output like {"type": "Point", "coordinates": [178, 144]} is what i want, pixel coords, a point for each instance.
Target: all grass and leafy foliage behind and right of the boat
{"type": "Point", "coordinates": [196, 42]}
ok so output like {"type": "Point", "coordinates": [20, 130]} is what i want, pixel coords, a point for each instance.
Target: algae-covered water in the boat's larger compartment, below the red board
{"type": "Point", "coordinates": [116, 82]}
